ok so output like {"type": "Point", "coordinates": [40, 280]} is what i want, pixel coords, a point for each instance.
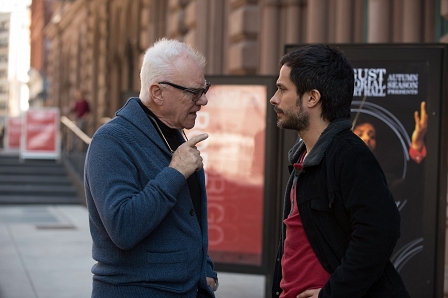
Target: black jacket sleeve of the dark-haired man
{"type": "Point", "coordinates": [374, 219]}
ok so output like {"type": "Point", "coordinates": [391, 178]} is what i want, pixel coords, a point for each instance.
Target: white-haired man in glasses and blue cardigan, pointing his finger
{"type": "Point", "coordinates": [145, 185]}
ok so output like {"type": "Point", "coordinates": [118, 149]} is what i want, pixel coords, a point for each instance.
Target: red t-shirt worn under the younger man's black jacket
{"type": "Point", "coordinates": [300, 267]}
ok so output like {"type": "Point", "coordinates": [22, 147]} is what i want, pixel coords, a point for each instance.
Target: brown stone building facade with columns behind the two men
{"type": "Point", "coordinates": [98, 45]}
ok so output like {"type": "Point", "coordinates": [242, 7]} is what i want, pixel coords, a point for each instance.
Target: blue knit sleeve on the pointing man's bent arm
{"type": "Point", "coordinates": [132, 195]}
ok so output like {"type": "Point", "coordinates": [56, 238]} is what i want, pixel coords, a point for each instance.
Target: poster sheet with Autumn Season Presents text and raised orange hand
{"type": "Point", "coordinates": [386, 97]}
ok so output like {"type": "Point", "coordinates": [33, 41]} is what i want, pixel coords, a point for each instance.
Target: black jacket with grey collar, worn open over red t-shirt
{"type": "Point", "coordinates": [349, 216]}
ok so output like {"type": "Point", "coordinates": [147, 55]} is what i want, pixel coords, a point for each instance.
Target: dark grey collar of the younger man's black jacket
{"type": "Point", "coordinates": [316, 155]}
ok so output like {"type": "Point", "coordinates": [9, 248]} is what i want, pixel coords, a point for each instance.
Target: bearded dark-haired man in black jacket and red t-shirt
{"type": "Point", "coordinates": [340, 222]}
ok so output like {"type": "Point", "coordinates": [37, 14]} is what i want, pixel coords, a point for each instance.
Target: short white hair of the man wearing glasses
{"type": "Point", "coordinates": [159, 63]}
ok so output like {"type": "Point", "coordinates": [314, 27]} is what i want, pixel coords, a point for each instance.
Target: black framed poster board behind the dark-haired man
{"type": "Point", "coordinates": [392, 83]}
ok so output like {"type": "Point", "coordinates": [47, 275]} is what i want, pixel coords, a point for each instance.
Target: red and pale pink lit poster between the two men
{"type": "Point", "coordinates": [234, 156]}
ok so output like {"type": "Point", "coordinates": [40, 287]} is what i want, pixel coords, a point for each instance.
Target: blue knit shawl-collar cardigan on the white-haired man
{"type": "Point", "coordinates": [146, 238]}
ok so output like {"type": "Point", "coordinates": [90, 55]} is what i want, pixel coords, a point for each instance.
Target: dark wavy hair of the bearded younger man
{"type": "Point", "coordinates": [327, 70]}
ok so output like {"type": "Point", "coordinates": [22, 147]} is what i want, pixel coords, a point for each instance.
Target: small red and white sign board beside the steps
{"type": "Point", "coordinates": [40, 134]}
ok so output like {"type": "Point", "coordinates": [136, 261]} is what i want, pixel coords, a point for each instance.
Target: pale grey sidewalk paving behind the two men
{"type": "Point", "coordinates": [45, 252]}
